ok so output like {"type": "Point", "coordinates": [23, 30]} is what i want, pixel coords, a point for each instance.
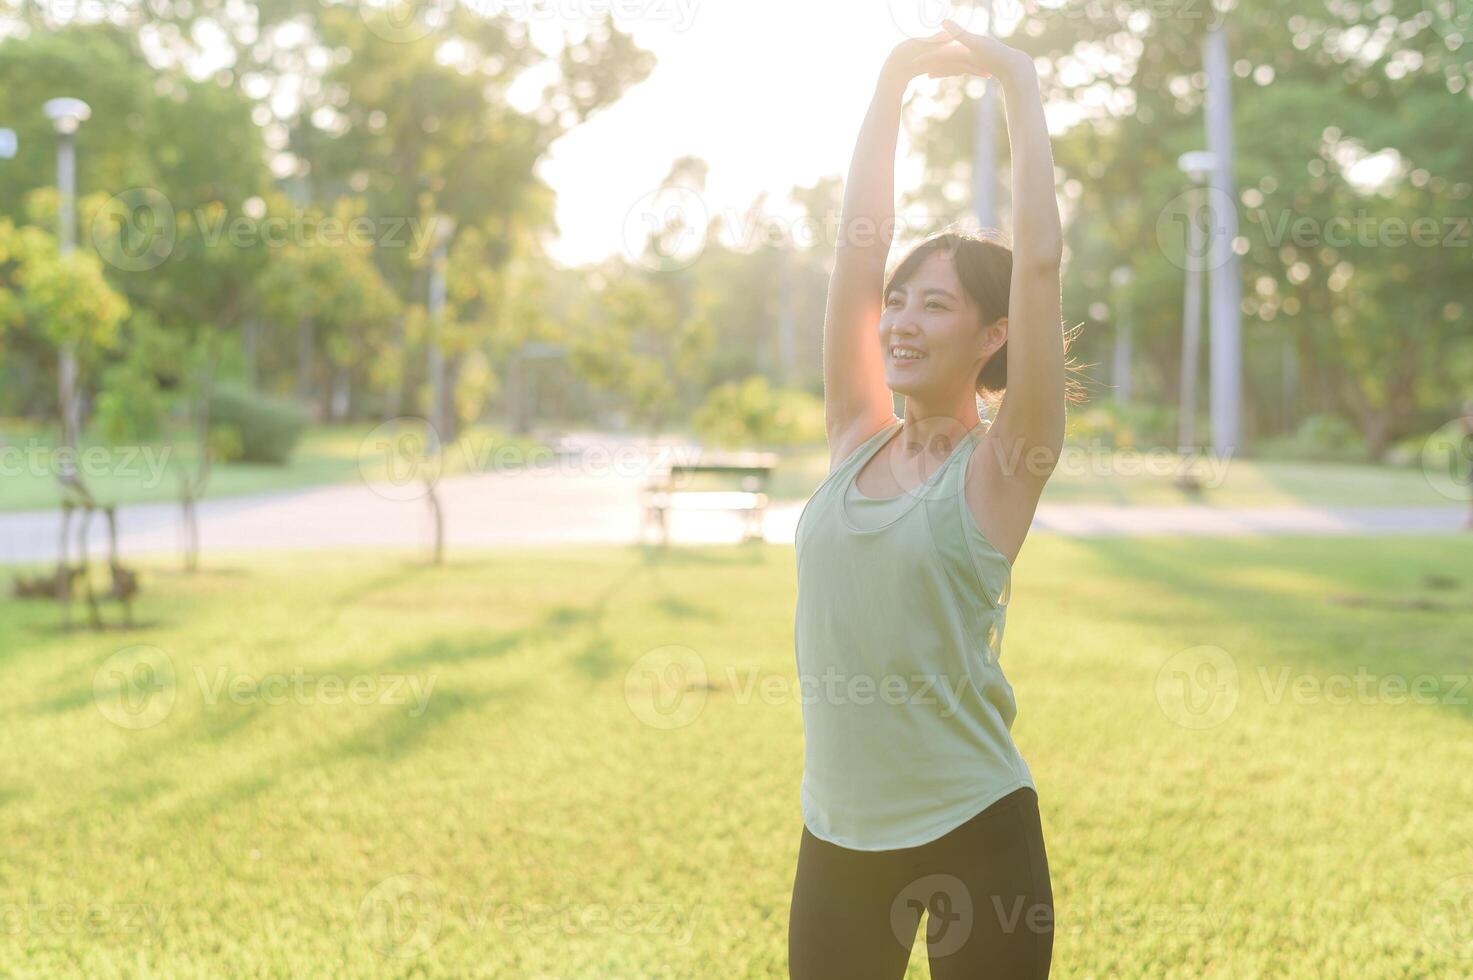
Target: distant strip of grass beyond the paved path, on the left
{"type": "Point", "coordinates": [326, 455]}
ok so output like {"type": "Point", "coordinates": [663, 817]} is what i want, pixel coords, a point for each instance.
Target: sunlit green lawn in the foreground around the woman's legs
{"type": "Point", "coordinates": [538, 816]}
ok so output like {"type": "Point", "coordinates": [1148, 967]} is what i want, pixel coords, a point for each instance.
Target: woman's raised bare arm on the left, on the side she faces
{"type": "Point", "coordinates": [857, 402]}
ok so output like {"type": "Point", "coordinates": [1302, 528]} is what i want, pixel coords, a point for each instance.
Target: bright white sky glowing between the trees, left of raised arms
{"type": "Point", "coordinates": [770, 94]}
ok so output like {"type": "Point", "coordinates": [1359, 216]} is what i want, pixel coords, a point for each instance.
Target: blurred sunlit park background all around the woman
{"type": "Point", "coordinates": [406, 410]}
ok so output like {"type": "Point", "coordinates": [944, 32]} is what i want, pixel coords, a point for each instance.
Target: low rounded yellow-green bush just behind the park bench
{"type": "Point", "coordinates": [752, 415]}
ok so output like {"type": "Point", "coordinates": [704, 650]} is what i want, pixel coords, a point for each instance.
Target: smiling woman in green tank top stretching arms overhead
{"type": "Point", "coordinates": [914, 795]}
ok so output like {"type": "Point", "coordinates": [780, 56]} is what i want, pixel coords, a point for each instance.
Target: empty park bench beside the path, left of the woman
{"type": "Point", "coordinates": [689, 487]}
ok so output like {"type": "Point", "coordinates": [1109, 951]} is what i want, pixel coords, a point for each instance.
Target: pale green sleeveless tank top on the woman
{"type": "Point", "coordinates": [898, 631]}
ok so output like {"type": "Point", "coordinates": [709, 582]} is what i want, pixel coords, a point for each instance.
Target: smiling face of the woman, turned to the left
{"type": "Point", "coordinates": [930, 334]}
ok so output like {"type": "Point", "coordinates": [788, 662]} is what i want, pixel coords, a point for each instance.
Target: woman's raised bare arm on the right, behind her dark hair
{"type": "Point", "coordinates": [1030, 421]}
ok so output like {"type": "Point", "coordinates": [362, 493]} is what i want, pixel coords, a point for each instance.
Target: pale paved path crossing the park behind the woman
{"type": "Point", "coordinates": [558, 506]}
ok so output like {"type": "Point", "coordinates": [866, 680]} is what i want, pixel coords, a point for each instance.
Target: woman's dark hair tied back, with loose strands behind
{"type": "Point", "coordinates": [983, 262]}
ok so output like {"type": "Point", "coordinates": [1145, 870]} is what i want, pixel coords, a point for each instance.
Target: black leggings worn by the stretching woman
{"type": "Point", "coordinates": [985, 886]}
